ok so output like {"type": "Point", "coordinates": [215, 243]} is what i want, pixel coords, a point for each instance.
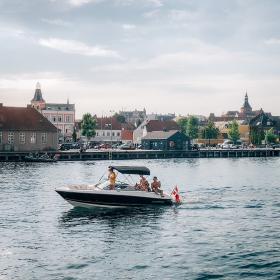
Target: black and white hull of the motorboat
{"type": "Point", "coordinates": [113, 199]}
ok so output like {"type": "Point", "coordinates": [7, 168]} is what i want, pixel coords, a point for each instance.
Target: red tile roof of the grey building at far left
{"type": "Point", "coordinates": [24, 119]}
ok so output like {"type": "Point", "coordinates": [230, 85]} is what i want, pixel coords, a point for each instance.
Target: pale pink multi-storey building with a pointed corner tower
{"type": "Point", "coordinates": [62, 115]}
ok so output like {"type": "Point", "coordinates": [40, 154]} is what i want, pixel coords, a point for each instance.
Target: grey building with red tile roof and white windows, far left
{"type": "Point", "coordinates": [25, 129]}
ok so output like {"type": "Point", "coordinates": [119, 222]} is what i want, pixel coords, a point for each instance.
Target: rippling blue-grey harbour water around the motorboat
{"type": "Point", "coordinates": [227, 228]}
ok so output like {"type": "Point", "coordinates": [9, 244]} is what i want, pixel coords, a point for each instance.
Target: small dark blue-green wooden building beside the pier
{"type": "Point", "coordinates": [165, 140]}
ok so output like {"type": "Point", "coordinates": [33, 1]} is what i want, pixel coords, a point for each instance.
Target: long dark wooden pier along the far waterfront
{"type": "Point", "coordinates": [145, 154]}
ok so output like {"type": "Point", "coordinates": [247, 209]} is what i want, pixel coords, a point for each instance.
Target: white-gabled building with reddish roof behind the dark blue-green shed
{"type": "Point", "coordinates": [152, 125]}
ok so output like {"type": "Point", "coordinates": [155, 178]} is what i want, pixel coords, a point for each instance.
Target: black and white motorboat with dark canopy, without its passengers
{"type": "Point", "coordinates": [124, 194]}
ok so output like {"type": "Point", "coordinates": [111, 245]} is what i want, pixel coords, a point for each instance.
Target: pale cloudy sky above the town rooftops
{"type": "Point", "coordinates": [169, 56]}
